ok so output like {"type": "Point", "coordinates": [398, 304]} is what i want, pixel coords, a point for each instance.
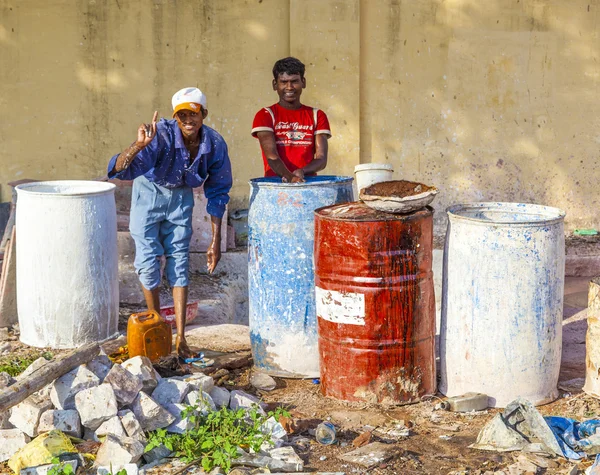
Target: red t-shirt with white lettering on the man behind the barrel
{"type": "Point", "coordinates": [295, 132]}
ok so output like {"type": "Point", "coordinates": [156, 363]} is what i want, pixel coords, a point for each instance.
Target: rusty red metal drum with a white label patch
{"type": "Point", "coordinates": [375, 303]}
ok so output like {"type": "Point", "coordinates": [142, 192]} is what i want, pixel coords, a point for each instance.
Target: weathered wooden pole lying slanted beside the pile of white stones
{"type": "Point", "coordinates": [41, 377]}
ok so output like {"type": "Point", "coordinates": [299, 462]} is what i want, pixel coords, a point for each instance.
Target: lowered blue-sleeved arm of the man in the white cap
{"type": "Point", "coordinates": [216, 190]}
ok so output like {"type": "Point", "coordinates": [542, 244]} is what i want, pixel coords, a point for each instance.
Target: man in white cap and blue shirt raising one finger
{"type": "Point", "coordinates": [168, 159]}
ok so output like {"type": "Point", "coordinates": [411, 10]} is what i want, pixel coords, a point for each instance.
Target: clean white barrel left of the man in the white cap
{"type": "Point", "coordinates": [67, 263]}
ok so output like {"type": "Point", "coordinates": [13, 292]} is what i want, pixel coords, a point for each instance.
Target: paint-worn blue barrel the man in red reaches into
{"type": "Point", "coordinates": [281, 283]}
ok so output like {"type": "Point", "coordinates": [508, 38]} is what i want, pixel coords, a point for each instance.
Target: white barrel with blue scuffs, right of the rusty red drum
{"type": "Point", "coordinates": [502, 302]}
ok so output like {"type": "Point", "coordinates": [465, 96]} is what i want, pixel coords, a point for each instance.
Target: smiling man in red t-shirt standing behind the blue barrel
{"type": "Point", "coordinates": [293, 137]}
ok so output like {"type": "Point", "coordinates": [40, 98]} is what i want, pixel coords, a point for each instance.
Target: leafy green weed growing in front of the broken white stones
{"type": "Point", "coordinates": [215, 437]}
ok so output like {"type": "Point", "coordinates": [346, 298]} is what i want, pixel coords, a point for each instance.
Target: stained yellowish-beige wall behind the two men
{"type": "Point", "coordinates": [488, 100]}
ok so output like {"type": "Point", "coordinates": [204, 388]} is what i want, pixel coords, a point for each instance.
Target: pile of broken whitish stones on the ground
{"type": "Point", "coordinates": [116, 404]}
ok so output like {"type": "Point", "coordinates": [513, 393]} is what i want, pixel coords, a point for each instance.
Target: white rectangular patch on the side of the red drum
{"type": "Point", "coordinates": [340, 307]}
